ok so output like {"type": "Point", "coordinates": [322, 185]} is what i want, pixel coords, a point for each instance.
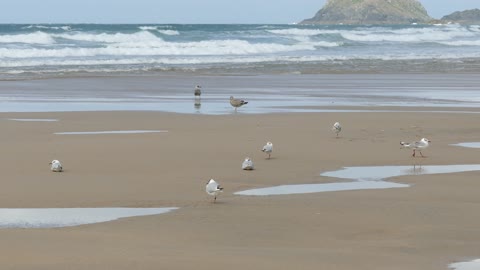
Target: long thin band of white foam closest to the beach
{"type": "Point", "coordinates": [117, 63]}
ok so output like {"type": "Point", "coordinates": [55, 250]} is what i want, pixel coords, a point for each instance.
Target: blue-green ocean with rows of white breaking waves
{"type": "Point", "coordinates": [64, 50]}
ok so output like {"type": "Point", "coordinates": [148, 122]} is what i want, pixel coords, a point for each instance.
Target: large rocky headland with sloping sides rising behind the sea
{"type": "Point", "coordinates": [370, 12]}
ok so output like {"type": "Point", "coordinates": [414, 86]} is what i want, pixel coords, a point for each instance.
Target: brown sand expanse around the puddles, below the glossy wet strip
{"type": "Point", "coordinates": [433, 223]}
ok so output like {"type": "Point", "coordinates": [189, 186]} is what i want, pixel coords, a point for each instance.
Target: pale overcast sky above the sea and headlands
{"type": "Point", "coordinates": [183, 11]}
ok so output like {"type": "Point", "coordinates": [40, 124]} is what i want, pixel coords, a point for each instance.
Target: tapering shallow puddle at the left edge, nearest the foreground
{"type": "Point", "coordinates": [66, 217]}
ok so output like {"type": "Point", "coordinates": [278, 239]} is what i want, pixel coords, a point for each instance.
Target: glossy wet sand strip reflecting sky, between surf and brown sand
{"type": "Point", "coordinates": [266, 94]}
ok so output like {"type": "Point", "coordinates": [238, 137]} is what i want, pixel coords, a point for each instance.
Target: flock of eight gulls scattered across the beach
{"type": "Point", "coordinates": [213, 188]}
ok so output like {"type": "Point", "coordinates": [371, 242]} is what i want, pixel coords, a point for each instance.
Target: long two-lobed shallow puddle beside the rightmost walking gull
{"type": "Point", "coordinates": [366, 178]}
